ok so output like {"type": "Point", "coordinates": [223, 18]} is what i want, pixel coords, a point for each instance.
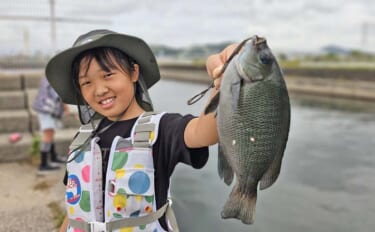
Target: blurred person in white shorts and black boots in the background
{"type": "Point", "coordinates": [50, 110]}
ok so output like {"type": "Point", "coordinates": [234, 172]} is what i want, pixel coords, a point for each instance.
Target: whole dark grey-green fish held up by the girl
{"type": "Point", "coordinates": [253, 120]}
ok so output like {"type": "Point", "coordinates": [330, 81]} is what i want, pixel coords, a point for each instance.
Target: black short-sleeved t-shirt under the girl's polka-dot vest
{"type": "Point", "coordinates": [168, 150]}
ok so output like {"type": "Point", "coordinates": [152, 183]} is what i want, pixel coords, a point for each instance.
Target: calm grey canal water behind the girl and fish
{"type": "Point", "coordinates": [327, 177]}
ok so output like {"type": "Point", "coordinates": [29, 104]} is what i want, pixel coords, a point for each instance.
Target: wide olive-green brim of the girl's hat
{"type": "Point", "coordinates": [59, 68]}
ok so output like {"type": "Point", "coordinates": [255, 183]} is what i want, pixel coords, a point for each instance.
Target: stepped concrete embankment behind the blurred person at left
{"type": "Point", "coordinates": [17, 92]}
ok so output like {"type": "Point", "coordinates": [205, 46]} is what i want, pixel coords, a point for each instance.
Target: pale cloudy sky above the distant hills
{"type": "Point", "coordinates": [288, 25]}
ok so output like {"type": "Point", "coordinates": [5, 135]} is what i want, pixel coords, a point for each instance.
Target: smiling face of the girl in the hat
{"type": "Point", "coordinates": [111, 92]}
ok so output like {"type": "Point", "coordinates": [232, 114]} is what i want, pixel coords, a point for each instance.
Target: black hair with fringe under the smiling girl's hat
{"type": "Point", "coordinates": [107, 58]}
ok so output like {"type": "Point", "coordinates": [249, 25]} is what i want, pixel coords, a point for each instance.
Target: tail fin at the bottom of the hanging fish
{"type": "Point", "coordinates": [240, 205]}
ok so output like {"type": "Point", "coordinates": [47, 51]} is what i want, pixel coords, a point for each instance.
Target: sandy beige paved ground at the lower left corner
{"type": "Point", "coordinates": [28, 201]}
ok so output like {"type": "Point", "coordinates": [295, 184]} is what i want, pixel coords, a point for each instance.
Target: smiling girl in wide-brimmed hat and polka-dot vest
{"type": "Point", "coordinates": [121, 160]}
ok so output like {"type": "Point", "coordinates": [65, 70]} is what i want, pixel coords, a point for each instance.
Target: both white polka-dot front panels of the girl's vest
{"type": "Point", "coordinates": [131, 173]}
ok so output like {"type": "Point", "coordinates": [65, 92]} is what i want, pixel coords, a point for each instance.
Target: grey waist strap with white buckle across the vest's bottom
{"type": "Point", "coordinates": [128, 222]}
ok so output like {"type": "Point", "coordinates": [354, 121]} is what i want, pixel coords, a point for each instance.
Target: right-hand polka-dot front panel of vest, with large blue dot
{"type": "Point", "coordinates": [133, 194]}
